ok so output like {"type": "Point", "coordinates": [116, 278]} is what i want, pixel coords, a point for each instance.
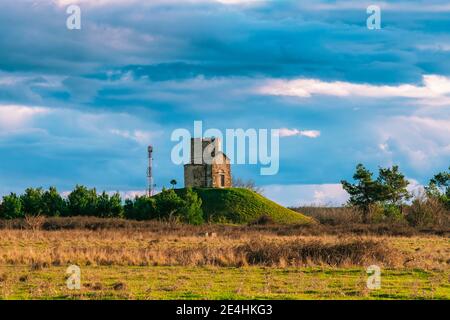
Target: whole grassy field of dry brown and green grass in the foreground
{"type": "Point", "coordinates": [163, 261]}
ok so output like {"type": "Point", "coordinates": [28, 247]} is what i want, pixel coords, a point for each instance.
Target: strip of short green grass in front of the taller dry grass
{"type": "Point", "coordinates": [221, 283]}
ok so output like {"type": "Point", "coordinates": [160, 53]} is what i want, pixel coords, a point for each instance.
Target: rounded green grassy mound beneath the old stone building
{"type": "Point", "coordinates": [238, 205]}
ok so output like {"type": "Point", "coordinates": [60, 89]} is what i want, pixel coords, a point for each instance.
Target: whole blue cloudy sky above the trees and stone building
{"type": "Point", "coordinates": [80, 106]}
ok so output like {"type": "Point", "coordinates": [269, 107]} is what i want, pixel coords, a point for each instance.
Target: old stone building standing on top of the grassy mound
{"type": "Point", "coordinates": [209, 167]}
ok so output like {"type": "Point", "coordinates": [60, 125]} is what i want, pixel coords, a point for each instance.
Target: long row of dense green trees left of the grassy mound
{"type": "Point", "coordinates": [82, 201]}
